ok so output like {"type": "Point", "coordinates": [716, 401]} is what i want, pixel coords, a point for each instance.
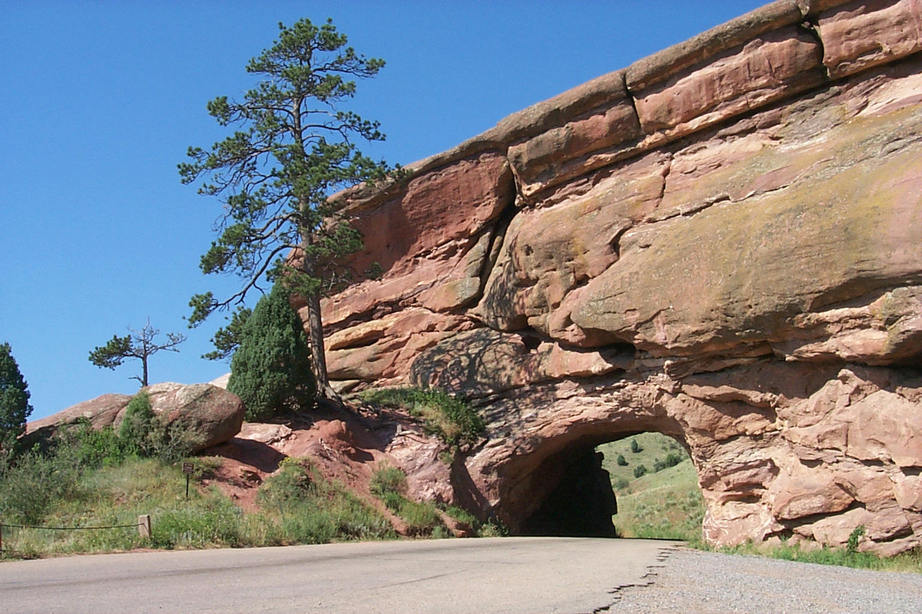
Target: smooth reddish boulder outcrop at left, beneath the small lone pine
{"type": "Point", "coordinates": [207, 414]}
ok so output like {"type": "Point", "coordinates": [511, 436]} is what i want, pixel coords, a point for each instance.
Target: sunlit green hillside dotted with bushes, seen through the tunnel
{"type": "Point", "coordinates": [663, 504]}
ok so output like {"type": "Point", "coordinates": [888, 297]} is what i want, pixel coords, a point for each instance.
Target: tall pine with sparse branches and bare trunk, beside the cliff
{"type": "Point", "coordinates": [295, 147]}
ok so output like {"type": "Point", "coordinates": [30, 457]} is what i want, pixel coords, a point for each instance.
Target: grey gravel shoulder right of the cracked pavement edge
{"type": "Point", "coordinates": [690, 581]}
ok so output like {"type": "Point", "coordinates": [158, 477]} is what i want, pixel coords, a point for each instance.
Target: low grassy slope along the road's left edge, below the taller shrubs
{"type": "Point", "coordinates": [298, 507]}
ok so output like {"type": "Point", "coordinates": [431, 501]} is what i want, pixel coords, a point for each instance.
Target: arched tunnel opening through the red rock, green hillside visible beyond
{"type": "Point", "coordinates": [641, 485]}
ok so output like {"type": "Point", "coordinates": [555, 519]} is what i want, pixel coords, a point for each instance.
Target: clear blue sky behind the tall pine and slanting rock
{"type": "Point", "coordinates": [101, 99]}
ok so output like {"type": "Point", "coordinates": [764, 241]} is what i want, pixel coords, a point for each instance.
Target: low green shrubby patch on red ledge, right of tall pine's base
{"type": "Point", "coordinates": [448, 417]}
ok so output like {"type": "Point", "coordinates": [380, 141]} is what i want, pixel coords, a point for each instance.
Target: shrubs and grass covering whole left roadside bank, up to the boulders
{"type": "Point", "coordinates": [103, 478]}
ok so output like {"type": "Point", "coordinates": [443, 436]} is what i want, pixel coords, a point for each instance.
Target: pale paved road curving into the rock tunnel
{"type": "Point", "coordinates": [505, 575]}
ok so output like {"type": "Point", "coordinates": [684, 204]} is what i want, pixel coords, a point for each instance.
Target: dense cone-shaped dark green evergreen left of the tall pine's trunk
{"type": "Point", "coordinates": [271, 369]}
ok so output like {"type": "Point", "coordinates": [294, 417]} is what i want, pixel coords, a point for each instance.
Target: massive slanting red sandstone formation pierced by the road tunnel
{"type": "Point", "coordinates": [720, 242]}
